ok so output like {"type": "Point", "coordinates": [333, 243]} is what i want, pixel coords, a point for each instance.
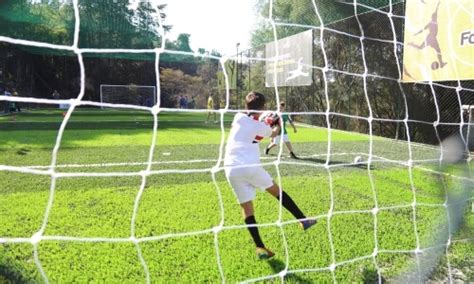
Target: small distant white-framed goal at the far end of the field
{"type": "Point", "coordinates": [128, 94]}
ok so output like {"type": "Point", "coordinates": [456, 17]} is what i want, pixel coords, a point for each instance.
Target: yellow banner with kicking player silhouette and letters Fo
{"type": "Point", "coordinates": [439, 40]}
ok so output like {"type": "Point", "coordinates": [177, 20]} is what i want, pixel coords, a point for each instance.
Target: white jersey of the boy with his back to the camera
{"type": "Point", "coordinates": [242, 145]}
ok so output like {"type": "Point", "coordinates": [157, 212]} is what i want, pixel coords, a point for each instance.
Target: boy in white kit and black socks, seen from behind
{"type": "Point", "coordinates": [243, 169]}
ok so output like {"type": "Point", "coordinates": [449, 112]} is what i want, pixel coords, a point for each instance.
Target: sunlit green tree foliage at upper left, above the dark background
{"type": "Point", "coordinates": [103, 24]}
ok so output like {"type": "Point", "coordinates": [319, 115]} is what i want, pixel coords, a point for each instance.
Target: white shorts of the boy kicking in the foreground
{"type": "Point", "coordinates": [244, 181]}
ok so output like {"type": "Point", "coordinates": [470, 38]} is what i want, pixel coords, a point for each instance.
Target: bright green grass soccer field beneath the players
{"type": "Point", "coordinates": [177, 211]}
